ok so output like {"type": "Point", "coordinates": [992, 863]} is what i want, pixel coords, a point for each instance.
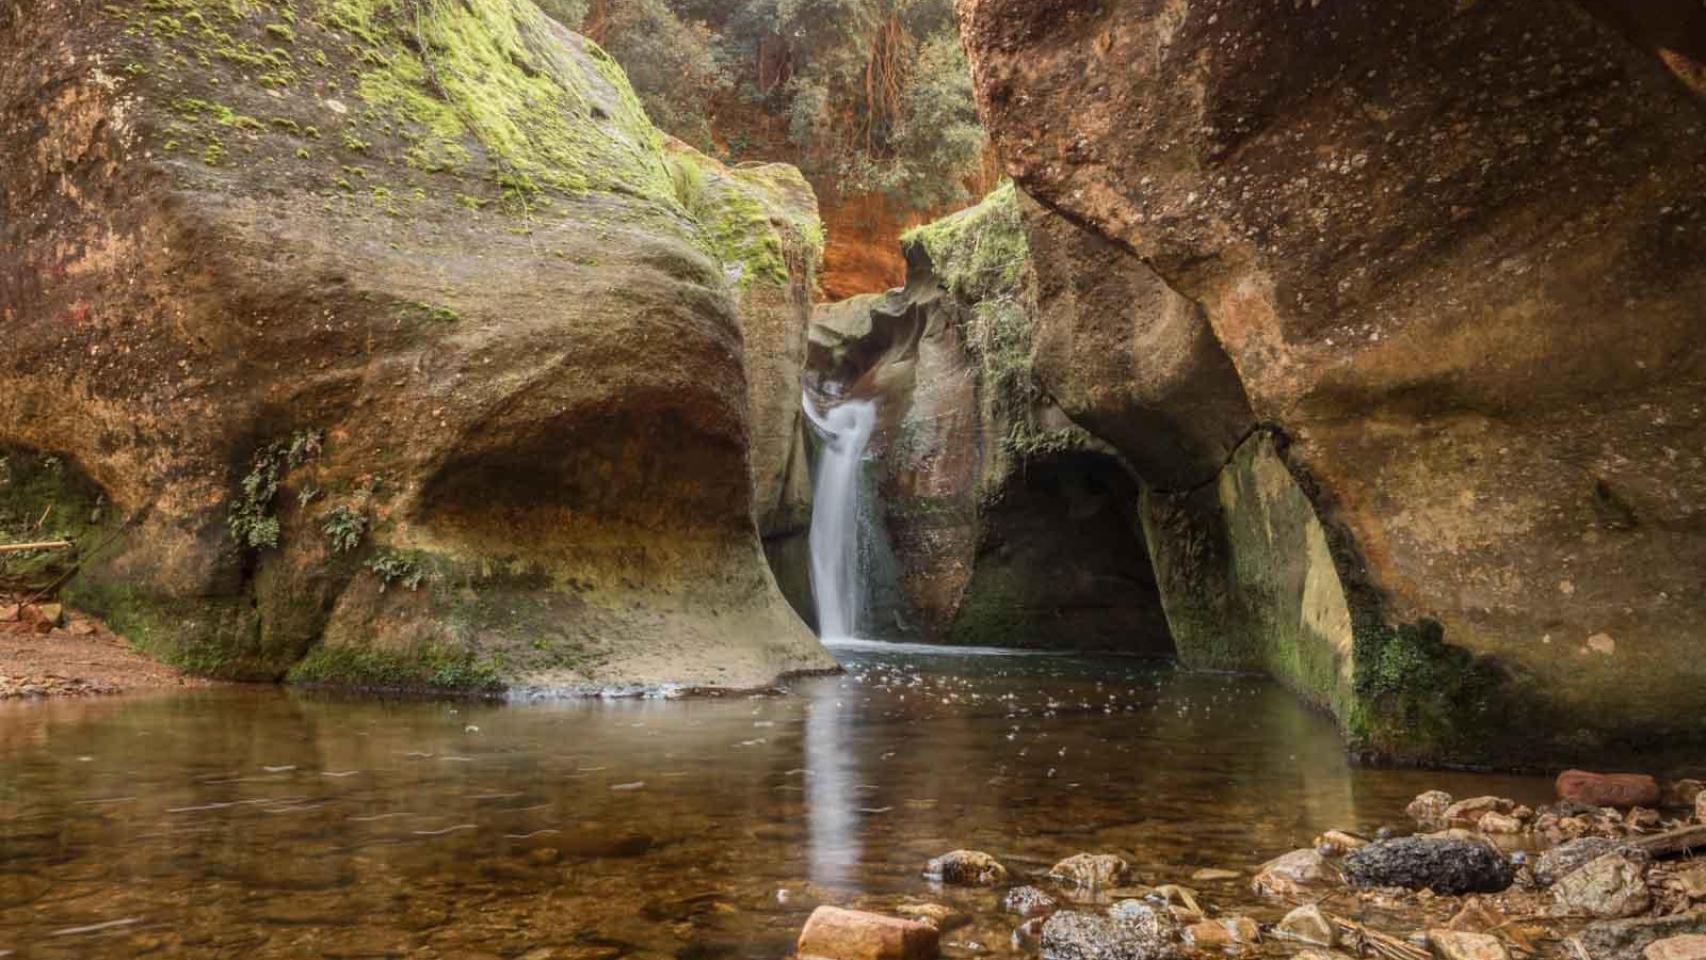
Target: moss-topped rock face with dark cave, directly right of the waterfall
{"type": "Point", "coordinates": [1001, 523]}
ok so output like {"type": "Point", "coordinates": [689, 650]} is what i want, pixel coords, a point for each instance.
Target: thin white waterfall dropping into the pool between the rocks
{"type": "Point", "coordinates": [837, 579]}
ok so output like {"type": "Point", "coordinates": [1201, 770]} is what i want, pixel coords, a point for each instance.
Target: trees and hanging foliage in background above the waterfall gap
{"type": "Point", "coordinates": [866, 96]}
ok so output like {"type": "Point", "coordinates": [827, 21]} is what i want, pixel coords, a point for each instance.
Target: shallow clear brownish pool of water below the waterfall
{"type": "Point", "coordinates": [267, 823]}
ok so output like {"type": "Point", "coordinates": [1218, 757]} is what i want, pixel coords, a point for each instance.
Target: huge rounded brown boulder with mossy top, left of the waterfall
{"type": "Point", "coordinates": [397, 357]}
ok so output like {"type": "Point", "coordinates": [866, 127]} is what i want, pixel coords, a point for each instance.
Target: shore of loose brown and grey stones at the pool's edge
{"type": "Point", "coordinates": [1475, 879]}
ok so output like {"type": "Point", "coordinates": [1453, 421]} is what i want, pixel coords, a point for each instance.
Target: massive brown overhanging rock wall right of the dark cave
{"type": "Point", "coordinates": [1434, 241]}
